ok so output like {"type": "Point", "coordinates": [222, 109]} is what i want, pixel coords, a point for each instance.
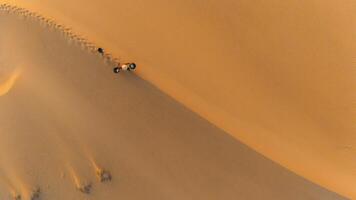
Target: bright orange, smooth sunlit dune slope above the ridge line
{"type": "Point", "coordinates": [277, 75]}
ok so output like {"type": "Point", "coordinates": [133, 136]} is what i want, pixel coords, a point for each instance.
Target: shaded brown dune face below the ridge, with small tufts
{"type": "Point", "coordinates": [68, 115]}
